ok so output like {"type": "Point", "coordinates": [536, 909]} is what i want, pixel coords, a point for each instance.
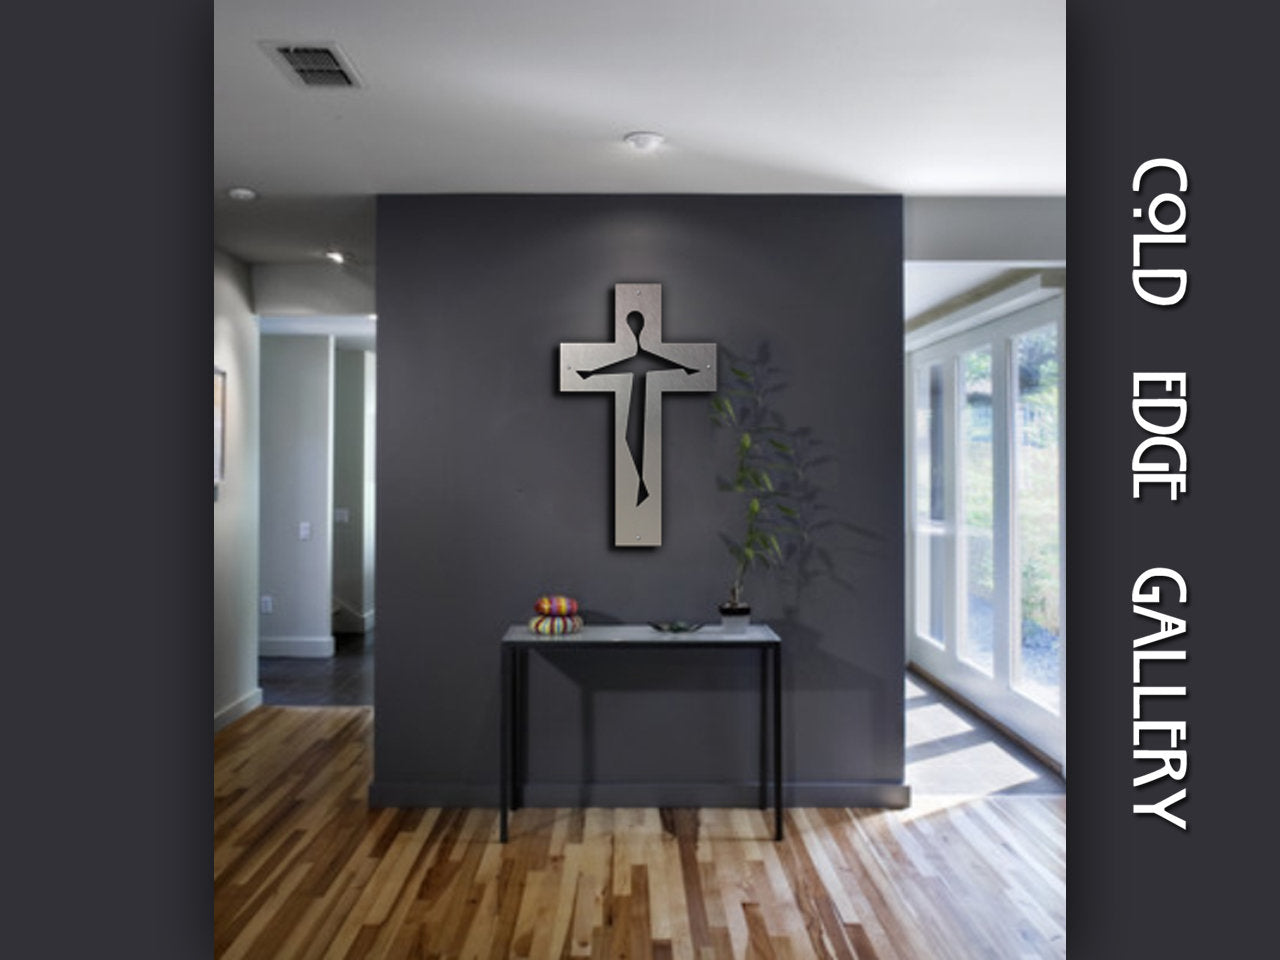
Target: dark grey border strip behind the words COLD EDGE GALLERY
{"type": "Point", "coordinates": [1191, 83]}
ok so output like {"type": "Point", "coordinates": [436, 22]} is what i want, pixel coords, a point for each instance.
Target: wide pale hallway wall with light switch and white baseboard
{"type": "Point", "coordinates": [298, 488]}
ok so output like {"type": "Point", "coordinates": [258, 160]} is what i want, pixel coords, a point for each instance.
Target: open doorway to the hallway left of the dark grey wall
{"type": "Point", "coordinates": [318, 499]}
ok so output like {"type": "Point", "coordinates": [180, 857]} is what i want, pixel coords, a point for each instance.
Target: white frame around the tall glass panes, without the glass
{"type": "Point", "coordinates": [995, 694]}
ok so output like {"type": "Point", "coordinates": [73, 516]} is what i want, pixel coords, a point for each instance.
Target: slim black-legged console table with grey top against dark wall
{"type": "Point", "coordinates": [519, 641]}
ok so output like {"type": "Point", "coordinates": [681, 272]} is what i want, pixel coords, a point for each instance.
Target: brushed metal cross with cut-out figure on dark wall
{"type": "Point", "coordinates": [638, 368]}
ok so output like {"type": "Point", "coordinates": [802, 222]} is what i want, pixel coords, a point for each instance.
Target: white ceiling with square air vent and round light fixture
{"type": "Point", "coordinates": [922, 98]}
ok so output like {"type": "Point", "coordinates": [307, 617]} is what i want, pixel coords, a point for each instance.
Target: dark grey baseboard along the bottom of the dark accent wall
{"type": "Point", "coordinates": [804, 794]}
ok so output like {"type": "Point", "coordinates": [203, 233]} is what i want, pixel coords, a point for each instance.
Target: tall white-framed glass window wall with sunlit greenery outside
{"type": "Point", "coordinates": [985, 527]}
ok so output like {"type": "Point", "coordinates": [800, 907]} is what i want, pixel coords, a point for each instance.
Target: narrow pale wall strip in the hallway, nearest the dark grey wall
{"type": "Point", "coordinates": [353, 491]}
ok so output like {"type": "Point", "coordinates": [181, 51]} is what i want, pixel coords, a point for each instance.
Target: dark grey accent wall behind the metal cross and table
{"type": "Point", "coordinates": [496, 488]}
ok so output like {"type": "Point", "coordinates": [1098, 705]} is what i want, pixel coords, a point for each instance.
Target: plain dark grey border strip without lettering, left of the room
{"type": "Point", "coordinates": [108, 758]}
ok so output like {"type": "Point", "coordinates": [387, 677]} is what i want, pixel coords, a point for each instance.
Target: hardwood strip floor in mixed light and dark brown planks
{"type": "Point", "coordinates": [303, 868]}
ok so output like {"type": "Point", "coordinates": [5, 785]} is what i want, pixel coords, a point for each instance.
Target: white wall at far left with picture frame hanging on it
{"type": "Point", "coordinates": [236, 510]}
